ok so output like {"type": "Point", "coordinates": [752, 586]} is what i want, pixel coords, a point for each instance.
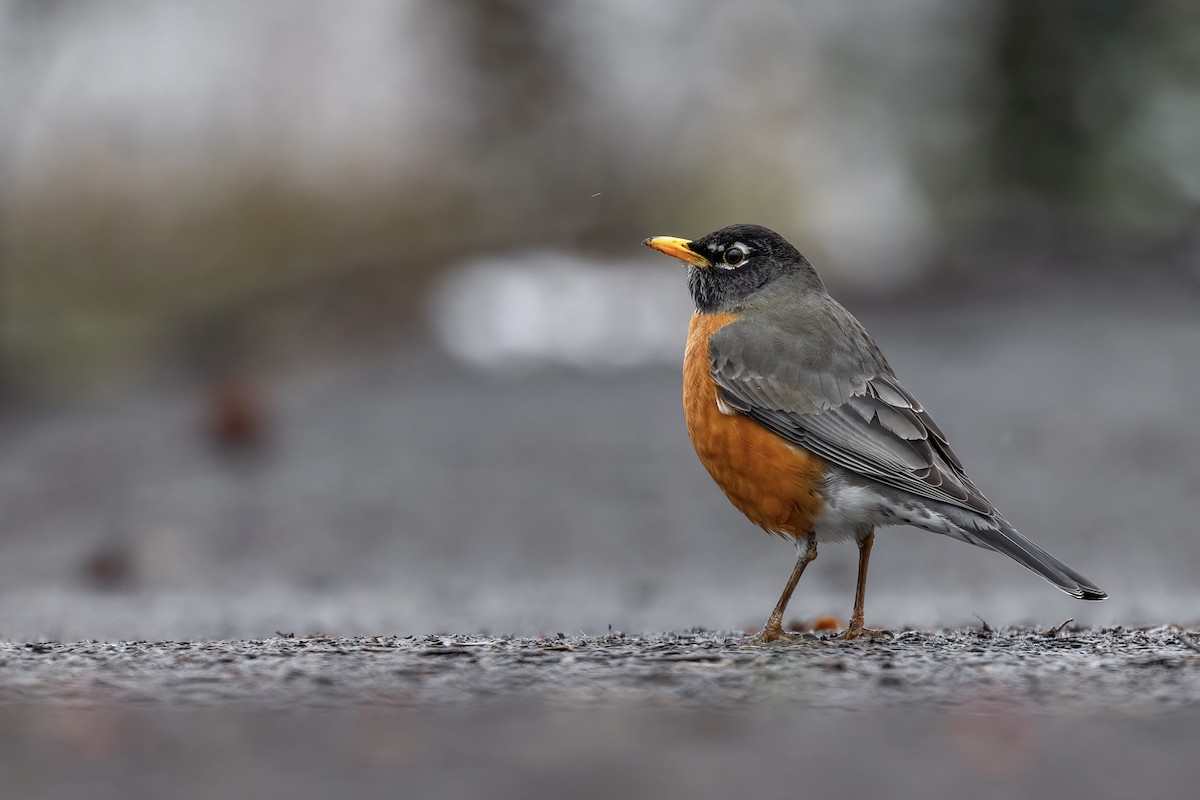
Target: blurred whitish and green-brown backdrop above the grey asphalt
{"type": "Point", "coordinates": [928, 127]}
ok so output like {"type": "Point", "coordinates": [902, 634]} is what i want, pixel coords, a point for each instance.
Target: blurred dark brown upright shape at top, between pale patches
{"type": "Point", "coordinates": [538, 154]}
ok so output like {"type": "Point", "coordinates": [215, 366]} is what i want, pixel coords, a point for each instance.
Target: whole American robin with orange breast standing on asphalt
{"type": "Point", "coordinates": [799, 418]}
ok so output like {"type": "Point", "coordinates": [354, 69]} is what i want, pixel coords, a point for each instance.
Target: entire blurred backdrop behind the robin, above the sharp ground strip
{"type": "Point", "coordinates": [335, 317]}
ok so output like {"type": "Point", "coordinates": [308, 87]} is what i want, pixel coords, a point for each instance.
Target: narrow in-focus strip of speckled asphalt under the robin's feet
{"type": "Point", "coordinates": [1141, 671]}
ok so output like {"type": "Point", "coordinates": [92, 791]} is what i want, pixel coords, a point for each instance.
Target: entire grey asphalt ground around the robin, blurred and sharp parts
{"type": "Point", "coordinates": [427, 533]}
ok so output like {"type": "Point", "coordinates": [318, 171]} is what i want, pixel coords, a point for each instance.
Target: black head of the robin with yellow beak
{"type": "Point", "coordinates": [729, 266]}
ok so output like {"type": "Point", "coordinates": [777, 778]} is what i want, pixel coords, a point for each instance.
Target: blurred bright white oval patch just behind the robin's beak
{"type": "Point", "coordinates": [544, 309]}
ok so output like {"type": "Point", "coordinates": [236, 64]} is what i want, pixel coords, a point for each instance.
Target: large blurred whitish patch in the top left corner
{"type": "Point", "coordinates": [303, 83]}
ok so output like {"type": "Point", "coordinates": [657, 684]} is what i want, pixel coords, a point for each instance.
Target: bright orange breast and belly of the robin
{"type": "Point", "coordinates": [771, 482]}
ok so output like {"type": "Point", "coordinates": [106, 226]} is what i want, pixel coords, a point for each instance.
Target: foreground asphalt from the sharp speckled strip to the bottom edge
{"type": "Point", "coordinates": [980, 713]}
